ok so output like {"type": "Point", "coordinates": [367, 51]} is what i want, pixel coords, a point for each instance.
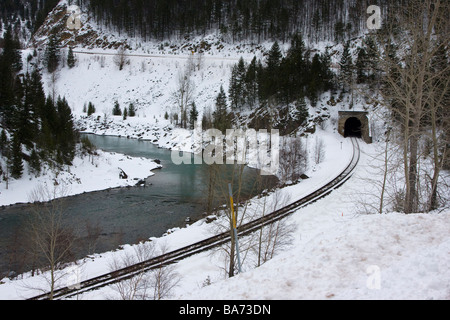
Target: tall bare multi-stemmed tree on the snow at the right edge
{"type": "Point", "coordinates": [415, 91]}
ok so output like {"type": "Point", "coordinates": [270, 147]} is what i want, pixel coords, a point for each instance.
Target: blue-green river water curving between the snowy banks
{"type": "Point", "coordinates": [103, 220]}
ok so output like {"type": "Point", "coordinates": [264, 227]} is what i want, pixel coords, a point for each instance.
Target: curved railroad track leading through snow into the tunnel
{"type": "Point", "coordinates": [207, 244]}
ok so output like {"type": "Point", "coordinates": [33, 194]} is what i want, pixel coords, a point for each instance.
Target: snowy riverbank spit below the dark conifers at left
{"type": "Point", "coordinates": [88, 173]}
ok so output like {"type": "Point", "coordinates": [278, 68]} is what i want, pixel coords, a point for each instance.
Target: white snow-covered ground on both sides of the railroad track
{"type": "Point", "coordinates": [336, 253]}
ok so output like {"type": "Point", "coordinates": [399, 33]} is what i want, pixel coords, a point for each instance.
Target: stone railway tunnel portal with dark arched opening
{"type": "Point", "coordinates": [354, 124]}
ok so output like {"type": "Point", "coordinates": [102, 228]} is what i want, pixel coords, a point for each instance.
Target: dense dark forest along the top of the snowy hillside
{"type": "Point", "coordinates": [255, 20]}
